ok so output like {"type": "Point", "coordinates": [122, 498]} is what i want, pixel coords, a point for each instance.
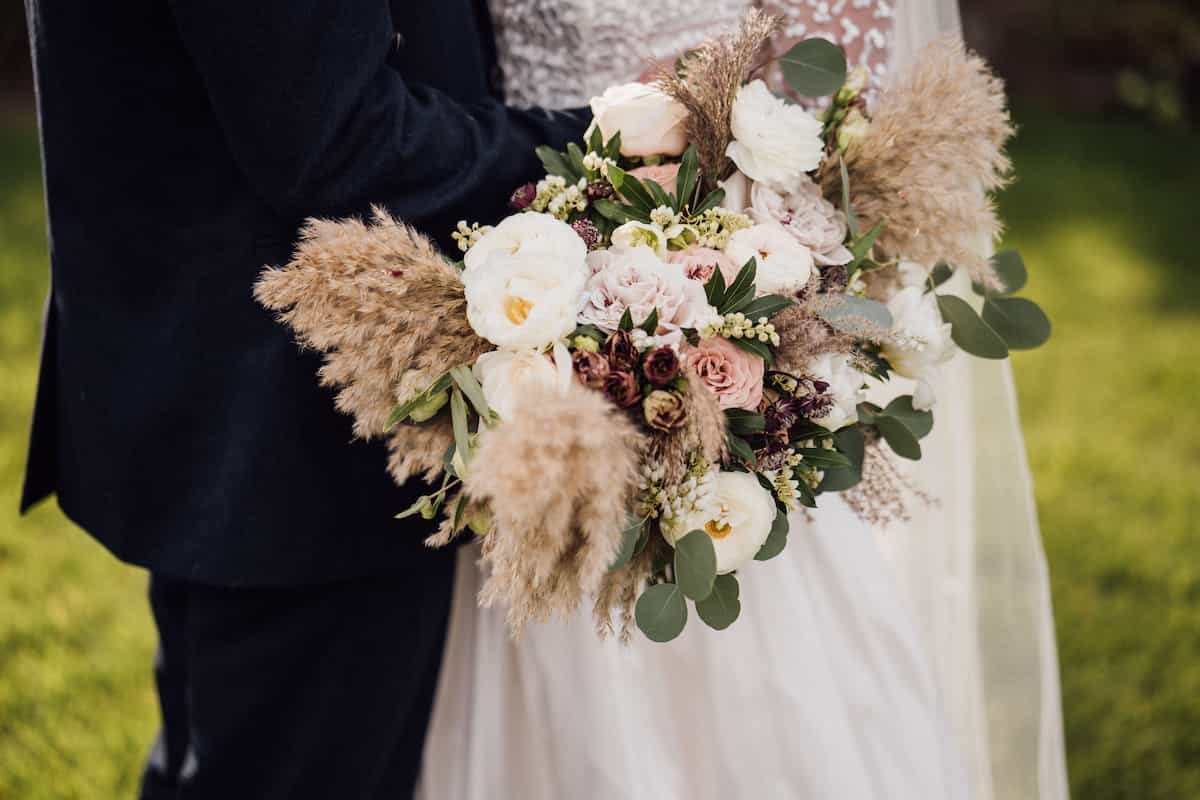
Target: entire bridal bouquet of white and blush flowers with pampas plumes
{"type": "Point", "coordinates": [625, 388]}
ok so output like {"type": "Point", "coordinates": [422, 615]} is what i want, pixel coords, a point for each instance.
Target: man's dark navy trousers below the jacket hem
{"type": "Point", "coordinates": [301, 691]}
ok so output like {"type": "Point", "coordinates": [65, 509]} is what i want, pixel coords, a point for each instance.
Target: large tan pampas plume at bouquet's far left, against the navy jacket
{"type": "Point", "coordinates": [388, 311]}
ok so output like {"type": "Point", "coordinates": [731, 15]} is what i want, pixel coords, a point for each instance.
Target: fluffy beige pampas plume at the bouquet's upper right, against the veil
{"type": "Point", "coordinates": [934, 149]}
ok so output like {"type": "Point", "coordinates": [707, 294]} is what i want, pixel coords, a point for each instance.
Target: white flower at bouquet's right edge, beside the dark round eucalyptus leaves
{"type": "Point", "coordinates": [921, 341]}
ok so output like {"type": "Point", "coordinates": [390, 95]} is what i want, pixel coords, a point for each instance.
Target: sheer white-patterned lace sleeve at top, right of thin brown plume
{"type": "Point", "coordinates": [862, 27]}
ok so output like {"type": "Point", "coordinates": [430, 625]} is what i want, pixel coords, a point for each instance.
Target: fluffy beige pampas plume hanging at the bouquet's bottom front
{"type": "Point", "coordinates": [557, 478]}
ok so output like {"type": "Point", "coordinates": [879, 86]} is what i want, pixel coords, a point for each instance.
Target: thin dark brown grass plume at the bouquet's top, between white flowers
{"type": "Point", "coordinates": [707, 86]}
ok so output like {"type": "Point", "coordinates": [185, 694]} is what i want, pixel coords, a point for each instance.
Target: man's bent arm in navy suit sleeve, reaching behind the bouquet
{"type": "Point", "coordinates": [321, 124]}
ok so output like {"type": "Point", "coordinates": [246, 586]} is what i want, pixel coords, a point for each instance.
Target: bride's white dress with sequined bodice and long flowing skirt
{"type": "Point", "coordinates": [825, 688]}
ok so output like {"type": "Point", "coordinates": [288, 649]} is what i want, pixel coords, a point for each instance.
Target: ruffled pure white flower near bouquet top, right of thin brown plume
{"type": "Point", "coordinates": [773, 142]}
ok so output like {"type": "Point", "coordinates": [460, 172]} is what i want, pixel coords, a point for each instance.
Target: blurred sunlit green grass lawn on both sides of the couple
{"type": "Point", "coordinates": [1105, 214]}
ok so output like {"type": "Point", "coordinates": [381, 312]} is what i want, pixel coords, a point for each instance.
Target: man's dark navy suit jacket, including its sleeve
{"type": "Point", "coordinates": [184, 143]}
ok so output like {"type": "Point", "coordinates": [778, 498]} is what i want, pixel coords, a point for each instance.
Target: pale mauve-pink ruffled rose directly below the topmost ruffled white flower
{"type": "Point", "coordinates": [808, 216]}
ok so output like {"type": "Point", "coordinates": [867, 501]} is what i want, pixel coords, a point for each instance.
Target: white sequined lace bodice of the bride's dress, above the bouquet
{"type": "Point", "coordinates": [561, 53]}
